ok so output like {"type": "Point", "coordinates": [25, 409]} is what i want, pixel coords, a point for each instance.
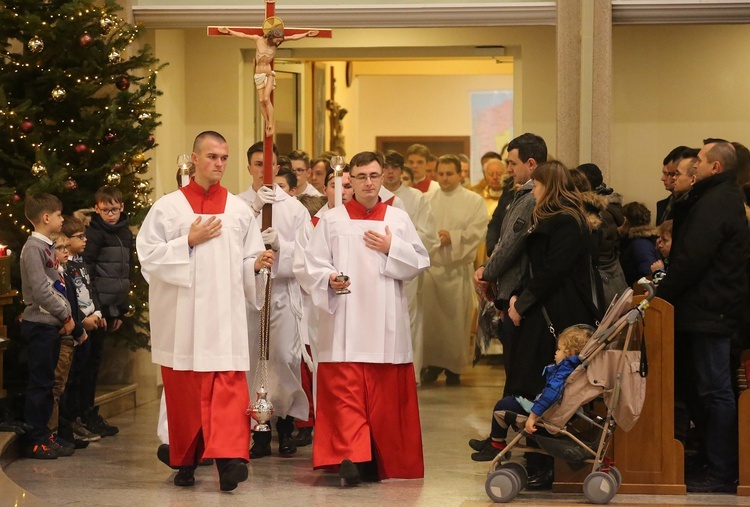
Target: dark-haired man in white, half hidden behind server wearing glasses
{"type": "Point", "coordinates": [417, 205]}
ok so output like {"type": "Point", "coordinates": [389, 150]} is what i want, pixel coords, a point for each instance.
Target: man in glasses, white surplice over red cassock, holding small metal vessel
{"type": "Point", "coordinates": [367, 418]}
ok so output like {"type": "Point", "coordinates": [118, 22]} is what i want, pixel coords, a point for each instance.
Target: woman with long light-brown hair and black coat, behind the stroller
{"type": "Point", "coordinates": [557, 290]}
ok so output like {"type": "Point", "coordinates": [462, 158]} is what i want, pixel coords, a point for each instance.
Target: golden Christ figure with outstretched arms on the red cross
{"type": "Point", "coordinates": [265, 51]}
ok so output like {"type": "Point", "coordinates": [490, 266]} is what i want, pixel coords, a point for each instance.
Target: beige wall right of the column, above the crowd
{"type": "Point", "coordinates": [674, 85]}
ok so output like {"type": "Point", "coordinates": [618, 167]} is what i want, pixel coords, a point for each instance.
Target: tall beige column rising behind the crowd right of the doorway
{"type": "Point", "coordinates": [584, 82]}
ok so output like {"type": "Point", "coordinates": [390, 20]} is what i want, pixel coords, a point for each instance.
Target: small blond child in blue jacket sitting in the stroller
{"type": "Point", "coordinates": [569, 344]}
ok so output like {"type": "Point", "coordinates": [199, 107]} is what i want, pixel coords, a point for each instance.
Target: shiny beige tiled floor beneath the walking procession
{"type": "Point", "coordinates": [123, 470]}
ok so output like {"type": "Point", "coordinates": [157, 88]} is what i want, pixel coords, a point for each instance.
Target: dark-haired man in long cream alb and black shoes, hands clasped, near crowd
{"type": "Point", "coordinates": [461, 221]}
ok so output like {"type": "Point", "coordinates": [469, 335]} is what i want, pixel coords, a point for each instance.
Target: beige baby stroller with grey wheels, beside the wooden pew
{"type": "Point", "coordinates": [613, 370]}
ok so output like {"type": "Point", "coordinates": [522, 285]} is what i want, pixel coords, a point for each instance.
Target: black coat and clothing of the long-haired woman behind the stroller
{"type": "Point", "coordinates": [560, 281]}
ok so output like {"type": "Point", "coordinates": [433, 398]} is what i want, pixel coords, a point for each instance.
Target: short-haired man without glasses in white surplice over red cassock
{"type": "Point", "coordinates": [200, 251]}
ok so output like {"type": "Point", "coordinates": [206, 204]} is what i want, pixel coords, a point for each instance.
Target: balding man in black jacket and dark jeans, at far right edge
{"type": "Point", "coordinates": [707, 285]}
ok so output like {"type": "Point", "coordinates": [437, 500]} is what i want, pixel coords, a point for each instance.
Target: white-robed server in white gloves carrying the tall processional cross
{"type": "Point", "coordinates": [285, 346]}
